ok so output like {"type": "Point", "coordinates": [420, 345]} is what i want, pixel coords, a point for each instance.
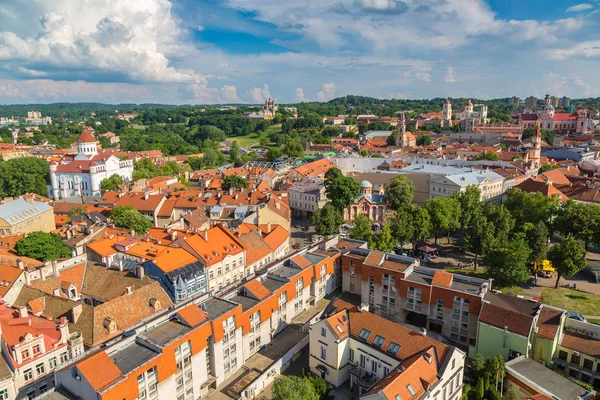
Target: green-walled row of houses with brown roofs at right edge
{"type": "Point", "coordinates": [516, 327]}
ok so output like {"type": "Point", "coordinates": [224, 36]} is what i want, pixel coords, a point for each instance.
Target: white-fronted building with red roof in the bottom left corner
{"type": "Point", "coordinates": [32, 347]}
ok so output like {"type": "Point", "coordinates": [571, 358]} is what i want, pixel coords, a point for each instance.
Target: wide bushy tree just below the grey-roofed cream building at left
{"type": "Point", "coordinates": [42, 246]}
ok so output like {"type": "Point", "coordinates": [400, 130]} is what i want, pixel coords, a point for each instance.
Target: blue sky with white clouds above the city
{"type": "Point", "coordinates": [221, 51]}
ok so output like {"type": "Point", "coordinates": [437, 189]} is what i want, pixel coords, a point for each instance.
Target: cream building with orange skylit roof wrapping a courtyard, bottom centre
{"type": "Point", "coordinates": [380, 358]}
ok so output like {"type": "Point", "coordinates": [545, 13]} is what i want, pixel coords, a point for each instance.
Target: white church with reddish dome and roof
{"type": "Point", "coordinates": [81, 174]}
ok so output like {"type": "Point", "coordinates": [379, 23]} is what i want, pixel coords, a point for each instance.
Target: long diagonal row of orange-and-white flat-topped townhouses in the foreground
{"type": "Point", "coordinates": [200, 345]}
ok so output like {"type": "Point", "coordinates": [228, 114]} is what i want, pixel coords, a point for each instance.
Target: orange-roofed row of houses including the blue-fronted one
{"type": "Point", "coordinates": [188, 264]}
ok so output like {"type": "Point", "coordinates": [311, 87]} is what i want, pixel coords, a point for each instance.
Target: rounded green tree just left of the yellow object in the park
{"type": "Point", "coordinates": [507, 261]}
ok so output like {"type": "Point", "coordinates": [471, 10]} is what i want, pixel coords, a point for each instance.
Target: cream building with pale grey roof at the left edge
{"type": "Point", "coordinates": [25, 214]}
